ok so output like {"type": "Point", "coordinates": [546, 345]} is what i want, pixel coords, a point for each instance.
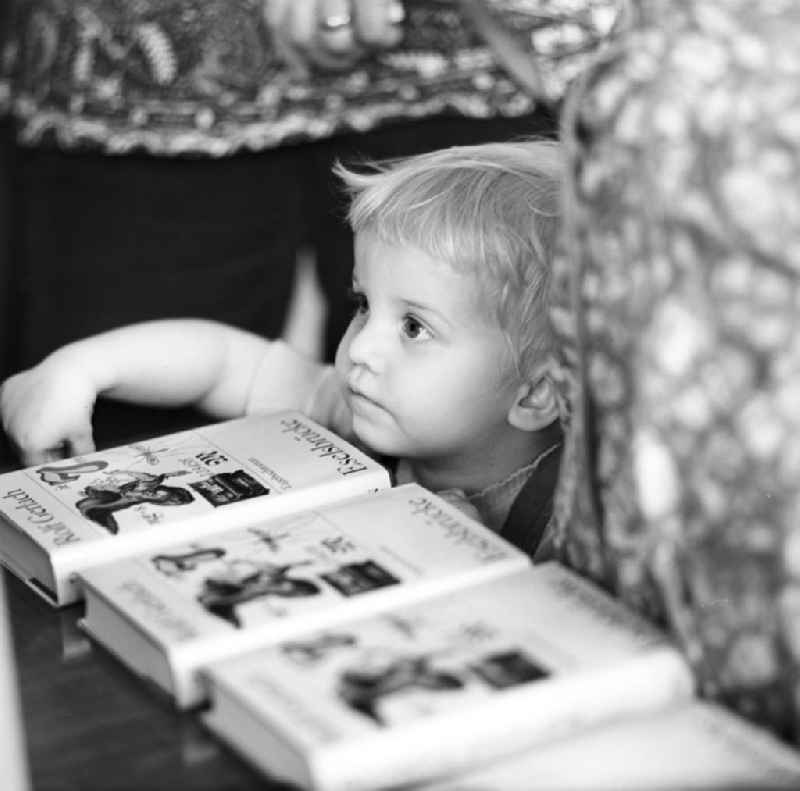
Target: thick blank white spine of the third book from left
{"type": "Point", "coordinates": [505, 725]}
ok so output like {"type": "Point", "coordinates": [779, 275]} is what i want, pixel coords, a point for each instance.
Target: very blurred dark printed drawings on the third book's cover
{"type": "Point", "coordinates": [402, 666]}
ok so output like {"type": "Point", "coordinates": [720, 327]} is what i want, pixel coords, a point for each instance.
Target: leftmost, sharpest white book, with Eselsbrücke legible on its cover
{"type": "Point", "coordinates": [58, 518]}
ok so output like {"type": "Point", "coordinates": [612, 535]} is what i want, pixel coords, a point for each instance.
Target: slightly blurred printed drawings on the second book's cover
{"type": "Point", "coordinates": [299, 563]}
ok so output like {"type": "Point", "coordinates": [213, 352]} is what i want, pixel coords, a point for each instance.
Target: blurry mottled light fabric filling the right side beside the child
{"type": "Point", "coordinates": [680, 487]}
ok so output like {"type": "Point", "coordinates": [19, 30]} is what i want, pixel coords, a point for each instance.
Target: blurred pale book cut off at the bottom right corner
{"type": "Point", "coordinates": [686, 748]}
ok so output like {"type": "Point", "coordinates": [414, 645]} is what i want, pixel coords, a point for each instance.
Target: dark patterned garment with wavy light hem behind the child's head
{"type": "Point", "coordinates": [184, 76]}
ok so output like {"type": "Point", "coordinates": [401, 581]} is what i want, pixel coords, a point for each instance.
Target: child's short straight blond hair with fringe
{"type": "Point", "coordinates": [490, 210]}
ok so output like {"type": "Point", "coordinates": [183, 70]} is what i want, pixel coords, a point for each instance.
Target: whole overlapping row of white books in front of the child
{"type": "Point", "coordinates": [344, 634]}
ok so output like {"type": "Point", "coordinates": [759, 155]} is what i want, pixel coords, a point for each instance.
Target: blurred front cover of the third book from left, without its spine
{"type": "Point", "coordinates": [443, 655]}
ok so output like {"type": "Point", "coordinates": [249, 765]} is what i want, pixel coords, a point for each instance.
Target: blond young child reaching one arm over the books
{"type": "Point", "coordinates": [443, 369]}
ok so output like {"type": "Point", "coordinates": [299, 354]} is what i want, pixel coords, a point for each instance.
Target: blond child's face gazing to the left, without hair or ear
{"type": "Point", "coordinates": [426, 370]}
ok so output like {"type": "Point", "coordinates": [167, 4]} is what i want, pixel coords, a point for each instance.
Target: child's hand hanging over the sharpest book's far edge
{"type": "Point", "coordinates": [47, 411]}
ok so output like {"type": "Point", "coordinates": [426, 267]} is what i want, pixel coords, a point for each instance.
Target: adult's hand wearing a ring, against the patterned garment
{"type": "Point", "coordinates": [333, 34]}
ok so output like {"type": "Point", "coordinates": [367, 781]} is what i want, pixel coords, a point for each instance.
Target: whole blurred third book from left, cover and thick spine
{"type": "Point", "coordinates": [444, 685]}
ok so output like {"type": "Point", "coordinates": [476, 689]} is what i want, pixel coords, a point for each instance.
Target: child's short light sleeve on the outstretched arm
{"type": "Point", "coordinates": [286, 379]}
